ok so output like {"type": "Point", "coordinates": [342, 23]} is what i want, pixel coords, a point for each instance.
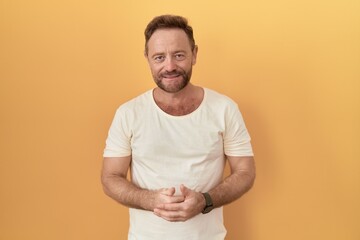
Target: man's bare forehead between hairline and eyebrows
{"type": "Point", "coordinates": [169, 40]}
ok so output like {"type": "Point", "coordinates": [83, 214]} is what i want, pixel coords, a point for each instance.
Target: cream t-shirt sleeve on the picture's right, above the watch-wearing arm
{"type": "Point", "coordinates": [236, 136]}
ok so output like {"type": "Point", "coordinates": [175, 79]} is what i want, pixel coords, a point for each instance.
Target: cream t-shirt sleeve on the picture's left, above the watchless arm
{"type": "Point", "coordinates": [119, 136]}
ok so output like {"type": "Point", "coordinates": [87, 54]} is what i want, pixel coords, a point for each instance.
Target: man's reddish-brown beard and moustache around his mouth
{"type": "Point", "coordinates": [176, 85]}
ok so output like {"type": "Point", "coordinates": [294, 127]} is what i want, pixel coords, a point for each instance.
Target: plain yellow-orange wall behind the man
{"type": "Point", "coordinates": [293, 67]}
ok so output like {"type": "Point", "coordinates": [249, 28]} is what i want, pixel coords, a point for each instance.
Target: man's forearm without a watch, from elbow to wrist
{"type": "Point", "coordinates": [126, 193]}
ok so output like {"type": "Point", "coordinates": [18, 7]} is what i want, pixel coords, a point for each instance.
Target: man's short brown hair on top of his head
{"type": "Point", "coordinates": [169, 21]}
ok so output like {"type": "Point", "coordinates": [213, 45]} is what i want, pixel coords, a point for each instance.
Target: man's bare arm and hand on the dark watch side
{"type": "Point", "coordinates": [231, 188]}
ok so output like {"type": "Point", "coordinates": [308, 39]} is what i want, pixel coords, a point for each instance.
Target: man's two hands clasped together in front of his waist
{"type": "Point", "coordinates": [176, 208]}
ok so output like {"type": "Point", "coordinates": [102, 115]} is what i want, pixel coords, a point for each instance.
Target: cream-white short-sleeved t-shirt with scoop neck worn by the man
{"type": "Point", "coordinates": [171, 150]}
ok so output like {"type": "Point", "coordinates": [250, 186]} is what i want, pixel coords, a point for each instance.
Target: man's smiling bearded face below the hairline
{"type": "Point", "coordinates": [171, 59]}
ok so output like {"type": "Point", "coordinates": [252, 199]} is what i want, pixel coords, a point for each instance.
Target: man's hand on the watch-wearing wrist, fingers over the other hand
{"type": "Point", "coordinates": [192, 205]}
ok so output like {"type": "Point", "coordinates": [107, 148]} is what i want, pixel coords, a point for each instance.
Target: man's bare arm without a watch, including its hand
{"type": "Point", "coordinates": [117, 187]}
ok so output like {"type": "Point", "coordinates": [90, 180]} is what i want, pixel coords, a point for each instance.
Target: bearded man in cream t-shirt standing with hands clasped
{"type": "Point", "coordinates": [176, 138]}
